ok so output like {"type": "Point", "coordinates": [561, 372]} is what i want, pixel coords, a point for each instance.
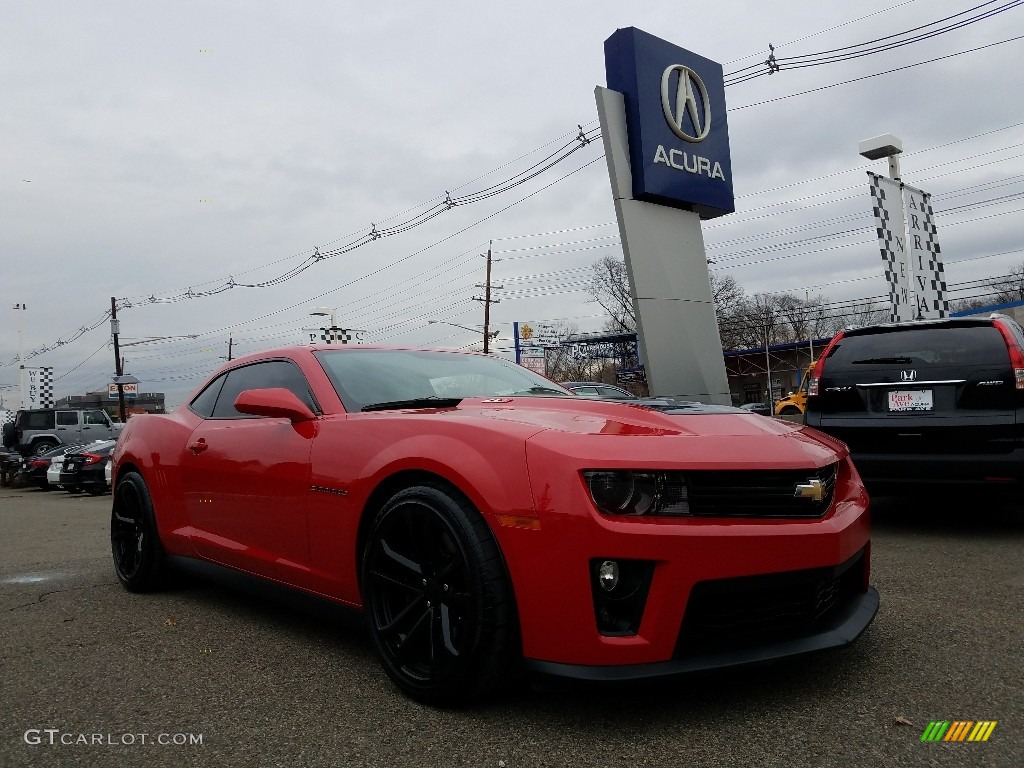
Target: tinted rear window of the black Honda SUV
{"type": "Point", "coordinates": [977, 346]}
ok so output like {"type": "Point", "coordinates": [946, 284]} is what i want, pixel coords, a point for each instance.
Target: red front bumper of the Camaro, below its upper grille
{"type": "Point", "coordinates": [551, 569]}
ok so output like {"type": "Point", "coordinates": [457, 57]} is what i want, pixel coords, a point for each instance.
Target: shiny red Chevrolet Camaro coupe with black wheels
{"type": "Point", "coordinates": [483, 518]}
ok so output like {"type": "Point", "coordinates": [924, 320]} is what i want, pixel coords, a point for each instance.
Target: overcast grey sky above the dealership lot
{"type": "Point", "coordinates": [154, 150]}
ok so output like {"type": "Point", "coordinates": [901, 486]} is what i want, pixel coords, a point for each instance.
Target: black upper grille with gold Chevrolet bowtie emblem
{"type": "Point", "coordinates": [760, 494]}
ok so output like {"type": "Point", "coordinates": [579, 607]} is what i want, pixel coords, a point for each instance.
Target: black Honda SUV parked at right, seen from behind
{"type": "Point", "coordinates": [926, 403]}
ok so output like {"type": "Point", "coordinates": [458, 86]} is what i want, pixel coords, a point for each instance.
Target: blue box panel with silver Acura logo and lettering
{"type": "Point", "coordinates": [675, 115]}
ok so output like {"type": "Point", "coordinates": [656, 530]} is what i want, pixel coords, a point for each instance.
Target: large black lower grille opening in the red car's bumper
{"type": "Point", "coordinates": [732, 614]}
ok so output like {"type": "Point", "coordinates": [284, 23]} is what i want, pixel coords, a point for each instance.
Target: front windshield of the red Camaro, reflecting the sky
{"type": "Point", "coordinates": [366, 378]}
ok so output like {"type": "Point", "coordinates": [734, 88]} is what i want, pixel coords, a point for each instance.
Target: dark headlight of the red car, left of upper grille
{"type": "Point", "coordinates": [629, 493]}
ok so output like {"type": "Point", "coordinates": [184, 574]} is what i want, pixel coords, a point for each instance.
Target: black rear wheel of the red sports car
{"type": "Point", "coordinates": [139, 557]}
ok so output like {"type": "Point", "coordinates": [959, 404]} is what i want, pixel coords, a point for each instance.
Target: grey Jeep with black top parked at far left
{"type": "Point", "coordinates": [37, 431]}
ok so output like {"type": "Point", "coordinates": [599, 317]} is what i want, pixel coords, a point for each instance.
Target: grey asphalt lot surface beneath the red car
{"type": "Point", "coordinates": [206, 676]}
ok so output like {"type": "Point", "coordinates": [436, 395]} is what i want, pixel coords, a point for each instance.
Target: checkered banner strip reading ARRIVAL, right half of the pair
{"type": "Point", "coordinates": [923, 244]}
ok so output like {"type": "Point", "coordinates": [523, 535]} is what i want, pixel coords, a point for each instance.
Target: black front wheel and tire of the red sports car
{"type": "Point", "coordinates": [437, 595]}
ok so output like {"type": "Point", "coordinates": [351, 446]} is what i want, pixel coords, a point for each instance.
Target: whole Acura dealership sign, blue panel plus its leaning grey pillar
{"type": "Point", "coordinates": [671, 113]}
